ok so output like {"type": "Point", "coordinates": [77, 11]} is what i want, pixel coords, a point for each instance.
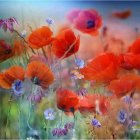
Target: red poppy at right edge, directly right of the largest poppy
{"type": "Point", "coordinates": [129, 61]}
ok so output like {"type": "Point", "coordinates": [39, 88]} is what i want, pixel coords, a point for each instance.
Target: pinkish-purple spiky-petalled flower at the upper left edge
{"type": "Point", "coordinates": [8, 24]}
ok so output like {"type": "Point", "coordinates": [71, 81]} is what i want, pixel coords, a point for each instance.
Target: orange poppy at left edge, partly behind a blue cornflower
{"type": "Point", "coordinates": [10, 75]}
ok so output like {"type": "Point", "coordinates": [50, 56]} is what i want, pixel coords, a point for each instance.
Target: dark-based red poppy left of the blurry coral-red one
{"type": "Point", "coordinates": [67, 100]}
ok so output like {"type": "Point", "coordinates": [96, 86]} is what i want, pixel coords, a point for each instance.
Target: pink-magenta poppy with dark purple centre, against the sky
{"type": "Point", "coordinates": [87, 21]}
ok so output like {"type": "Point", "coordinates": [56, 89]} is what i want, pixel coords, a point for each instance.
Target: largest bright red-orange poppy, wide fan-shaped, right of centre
{"type": "Point", "coordinates": [103, 68]}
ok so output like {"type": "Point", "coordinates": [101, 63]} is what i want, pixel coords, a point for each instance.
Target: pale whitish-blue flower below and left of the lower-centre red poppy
{"type": "Point", "coordinates": [49, 114]}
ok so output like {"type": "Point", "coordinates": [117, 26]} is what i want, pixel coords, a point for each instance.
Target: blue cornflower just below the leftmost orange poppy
{"type": "Point", "coordinates": [18, 87]}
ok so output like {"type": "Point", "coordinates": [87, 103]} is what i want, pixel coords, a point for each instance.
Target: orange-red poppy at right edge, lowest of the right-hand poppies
{"type": "Point", "coordinates": [125, 84]}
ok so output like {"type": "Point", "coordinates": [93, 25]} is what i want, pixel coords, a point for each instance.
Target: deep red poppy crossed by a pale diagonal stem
{"type": "Point", "coordinates": [65, 44]}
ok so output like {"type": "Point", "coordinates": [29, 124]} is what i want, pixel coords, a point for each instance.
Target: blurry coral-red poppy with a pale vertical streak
{"type": "Point", "coordinates": [94, 103]}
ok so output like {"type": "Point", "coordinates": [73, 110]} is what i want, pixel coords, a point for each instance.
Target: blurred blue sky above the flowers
{"type": "Point", "coordinates": [35, 12]}
